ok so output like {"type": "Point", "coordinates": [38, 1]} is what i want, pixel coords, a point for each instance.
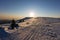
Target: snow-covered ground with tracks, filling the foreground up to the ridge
{"type": "Point", "coordinates": [33, 29]}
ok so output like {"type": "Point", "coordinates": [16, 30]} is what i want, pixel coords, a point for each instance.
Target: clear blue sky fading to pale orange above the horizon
{"type": "Point", "coordinates": [40, 8]}
